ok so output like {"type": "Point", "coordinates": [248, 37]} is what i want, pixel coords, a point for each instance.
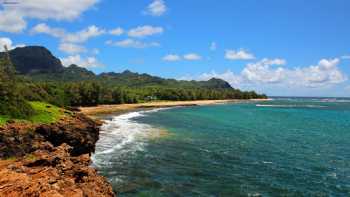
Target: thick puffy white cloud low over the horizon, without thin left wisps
{"type": "Point", "coordinates": [324, 73]}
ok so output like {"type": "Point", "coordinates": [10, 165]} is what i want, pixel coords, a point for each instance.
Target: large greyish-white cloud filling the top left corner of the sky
{"type": "Point", "coordinates": [13, 18]}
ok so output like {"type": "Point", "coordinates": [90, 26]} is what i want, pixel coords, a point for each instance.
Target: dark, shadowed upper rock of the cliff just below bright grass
{"type": "Point", "coordinates": [78, 131]}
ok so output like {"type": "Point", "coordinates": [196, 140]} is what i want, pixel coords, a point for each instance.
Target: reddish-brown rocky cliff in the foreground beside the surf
{"type": "Point", "coordinates": [50, 160]}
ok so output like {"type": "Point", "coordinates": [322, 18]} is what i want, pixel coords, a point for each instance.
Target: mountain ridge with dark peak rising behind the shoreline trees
{"type": "Point", "coordinates": [40, 65]}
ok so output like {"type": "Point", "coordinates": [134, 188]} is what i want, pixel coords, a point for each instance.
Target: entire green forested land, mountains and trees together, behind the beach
{"type": "Point", "coordinates": [41, 77]}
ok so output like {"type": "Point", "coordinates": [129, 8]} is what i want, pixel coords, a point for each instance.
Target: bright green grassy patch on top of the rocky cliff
{"type": "Point", "coordinates": [45, 113]}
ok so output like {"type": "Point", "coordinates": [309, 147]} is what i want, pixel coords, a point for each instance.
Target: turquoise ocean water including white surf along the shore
{"type": "Point", "coordinates": [283, 147]}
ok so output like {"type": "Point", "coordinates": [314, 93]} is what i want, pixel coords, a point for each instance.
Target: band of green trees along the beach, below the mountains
{"type": "Point", "coordinates": [91, 93]}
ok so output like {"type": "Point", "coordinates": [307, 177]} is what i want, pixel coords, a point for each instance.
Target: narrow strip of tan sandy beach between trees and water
{"type": "Point", "coordinates": [124, 108]}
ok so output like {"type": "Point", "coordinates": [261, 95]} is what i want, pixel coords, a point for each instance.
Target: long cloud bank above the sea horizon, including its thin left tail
{"type": "Point", "coordinates": [272, 72]}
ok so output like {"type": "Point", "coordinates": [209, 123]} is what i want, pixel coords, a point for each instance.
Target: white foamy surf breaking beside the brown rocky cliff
{"type": "Point", "coordinates": [122, 135]}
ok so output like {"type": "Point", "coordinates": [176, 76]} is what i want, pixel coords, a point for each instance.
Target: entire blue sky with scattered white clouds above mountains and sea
{"type": "Point", "coordinates": [281, 48]}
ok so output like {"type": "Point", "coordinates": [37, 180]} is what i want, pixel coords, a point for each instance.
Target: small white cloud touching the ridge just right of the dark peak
{"type": "Point", "coordinates": [88, 62]}
